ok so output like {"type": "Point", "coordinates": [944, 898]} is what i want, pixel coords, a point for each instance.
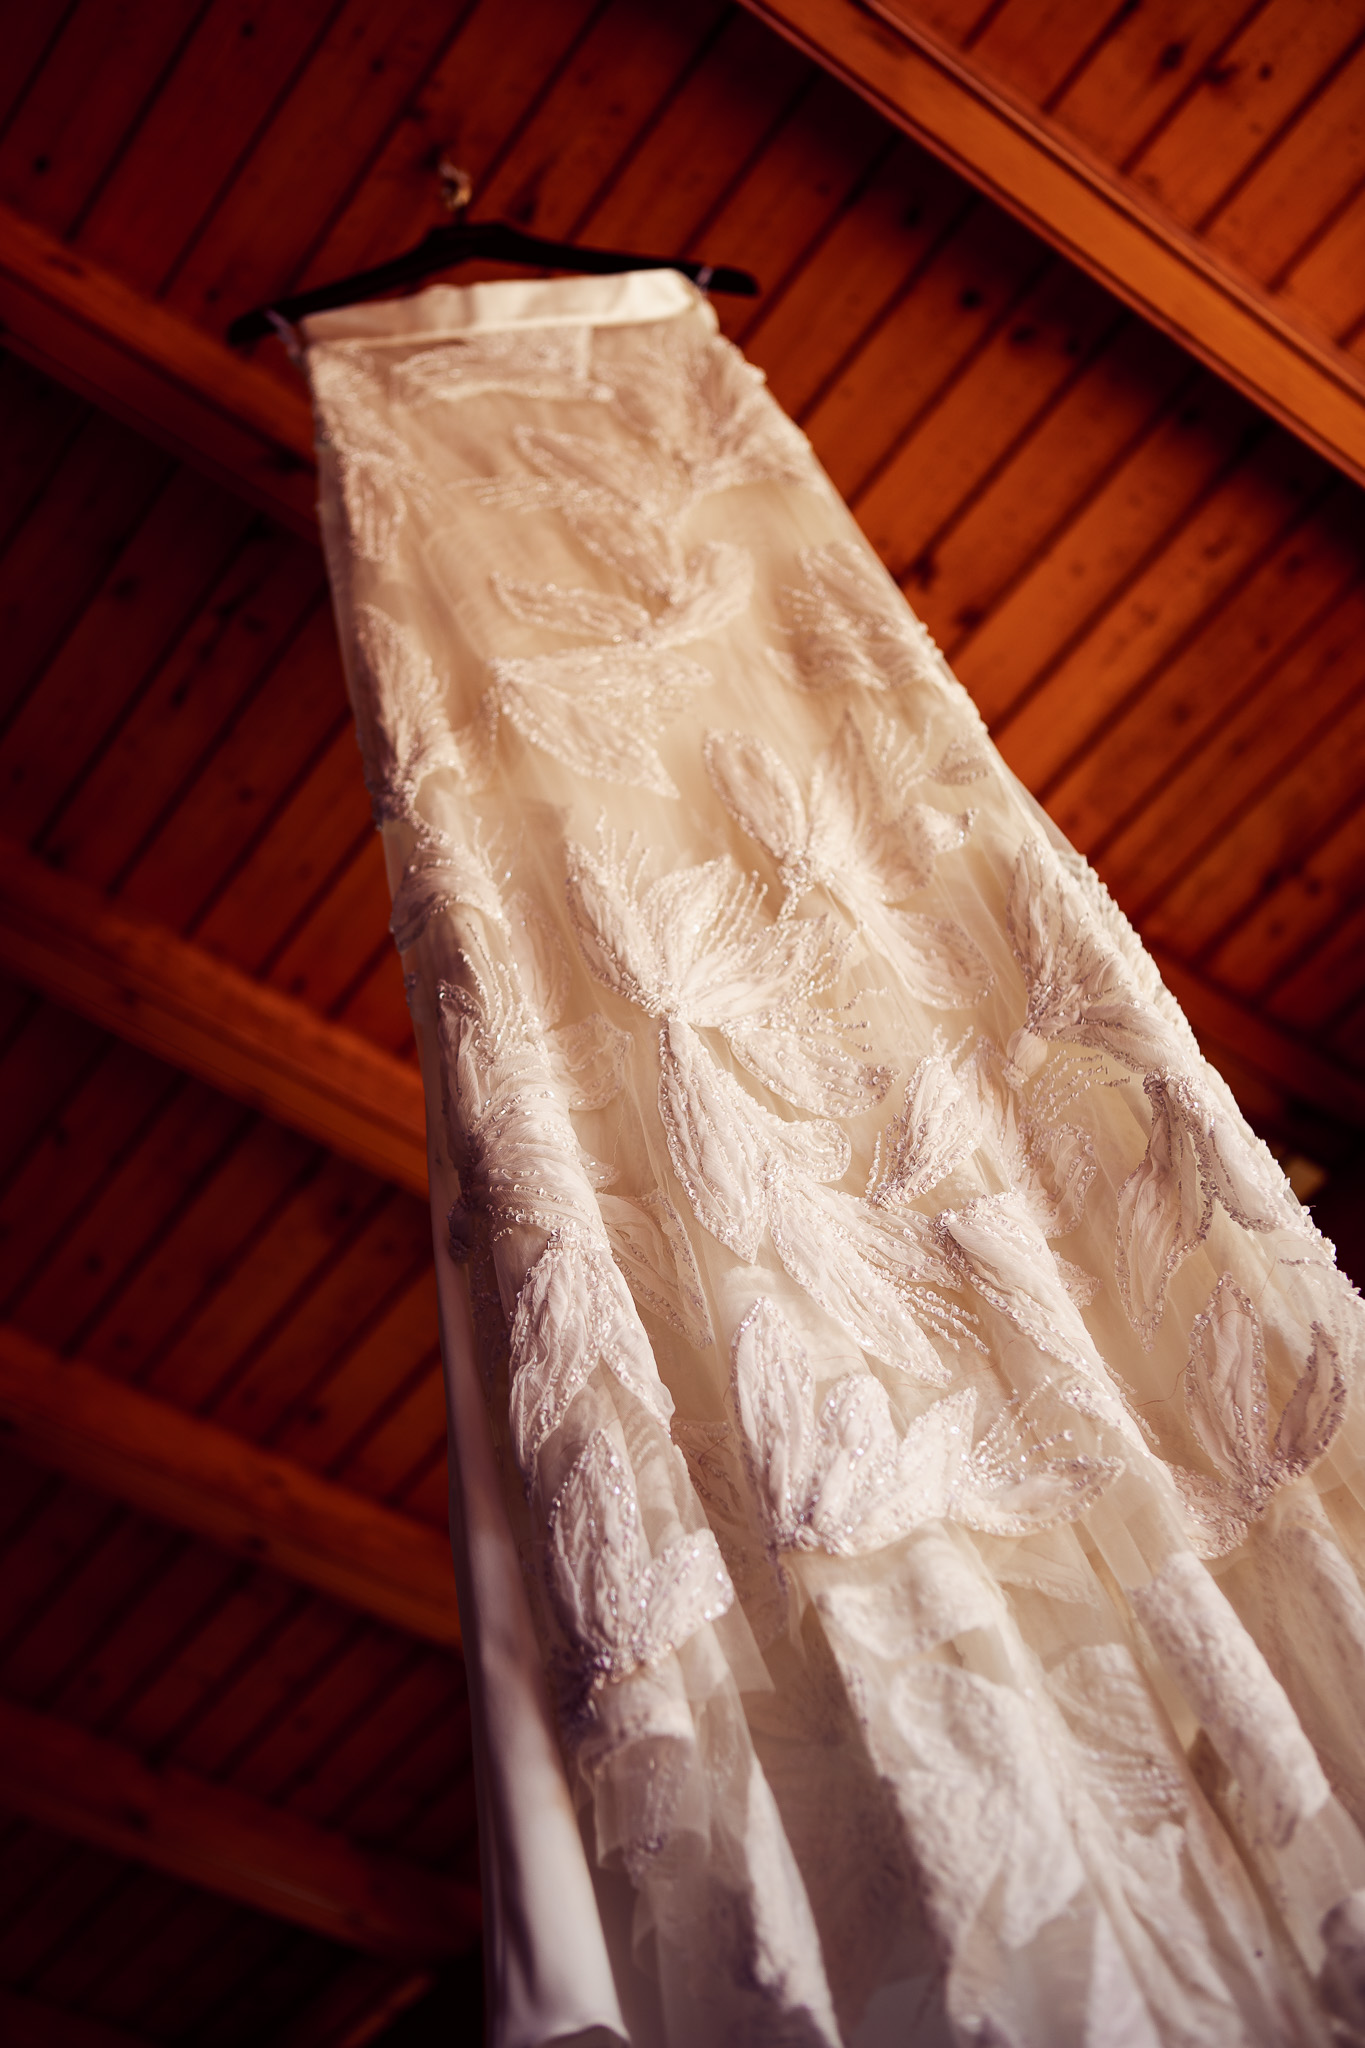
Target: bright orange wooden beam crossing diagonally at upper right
{"type": "Point", "coordinates": [1086, 210]}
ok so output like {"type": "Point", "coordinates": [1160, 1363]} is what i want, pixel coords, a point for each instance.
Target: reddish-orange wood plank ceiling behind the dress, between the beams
{"type": "Point", "coordinates": [1155, 595]}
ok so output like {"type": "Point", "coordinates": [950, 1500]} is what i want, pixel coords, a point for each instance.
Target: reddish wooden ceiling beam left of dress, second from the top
{"type": "Point", "coordinates": [212, 1021]}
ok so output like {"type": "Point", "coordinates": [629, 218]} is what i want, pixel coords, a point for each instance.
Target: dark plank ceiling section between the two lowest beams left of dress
{"type": "Point", "coordinates": [185, 1656]}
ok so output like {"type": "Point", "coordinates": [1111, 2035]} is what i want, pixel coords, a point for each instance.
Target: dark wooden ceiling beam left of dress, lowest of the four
{"type": "Point", "coordinates": [263, 1857]}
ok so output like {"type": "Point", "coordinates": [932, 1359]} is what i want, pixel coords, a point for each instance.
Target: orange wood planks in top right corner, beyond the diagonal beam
{"type": "Point", "coordinates": [1243, 124]}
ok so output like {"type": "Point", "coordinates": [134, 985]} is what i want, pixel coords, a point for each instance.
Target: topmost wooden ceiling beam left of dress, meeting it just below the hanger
{"type": "Point", "coordinates": [181, 388]}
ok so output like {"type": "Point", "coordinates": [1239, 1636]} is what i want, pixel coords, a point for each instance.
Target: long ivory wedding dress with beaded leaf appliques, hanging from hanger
{"type": "Point", "coordinates": [904, 1455]}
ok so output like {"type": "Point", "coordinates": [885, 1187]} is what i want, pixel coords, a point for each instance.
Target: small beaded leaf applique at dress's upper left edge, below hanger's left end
{"type": "Point", "coordinates": [382, 480]}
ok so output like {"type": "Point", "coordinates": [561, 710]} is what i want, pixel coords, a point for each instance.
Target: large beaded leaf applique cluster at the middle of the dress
{"type": "Point", "coordinates": [693, 949]}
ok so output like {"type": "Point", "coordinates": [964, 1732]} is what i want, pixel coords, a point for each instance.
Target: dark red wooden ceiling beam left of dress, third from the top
{"type": "Point", "coordinates": [243, 1498]}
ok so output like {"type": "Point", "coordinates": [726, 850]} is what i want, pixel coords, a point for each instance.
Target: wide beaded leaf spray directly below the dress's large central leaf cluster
{"type": "Point", "coordinates": [840, 1480]}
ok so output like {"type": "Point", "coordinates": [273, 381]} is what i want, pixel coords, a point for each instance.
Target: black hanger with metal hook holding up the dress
{"type": "Point", "coordinates": [464, 243]}
